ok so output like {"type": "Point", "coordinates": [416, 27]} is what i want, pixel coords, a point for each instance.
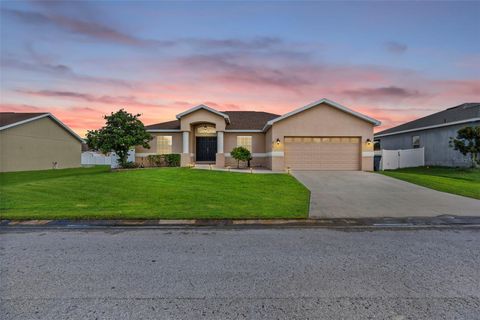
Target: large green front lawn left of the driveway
{"type": "Point", "coordinates": [166, 193]}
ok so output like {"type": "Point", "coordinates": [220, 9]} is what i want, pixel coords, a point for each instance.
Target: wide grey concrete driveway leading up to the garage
{"type": "Point", "coordinates": [353, 194]}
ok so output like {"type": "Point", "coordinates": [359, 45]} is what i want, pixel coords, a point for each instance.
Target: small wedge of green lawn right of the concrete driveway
{"type": "Point", "coordinates": [461, 181]}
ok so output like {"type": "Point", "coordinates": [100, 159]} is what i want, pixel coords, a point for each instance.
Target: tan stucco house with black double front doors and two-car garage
{"type": "Point", "coordinates": [323, 135]}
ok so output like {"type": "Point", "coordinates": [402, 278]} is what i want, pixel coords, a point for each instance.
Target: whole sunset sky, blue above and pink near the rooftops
{"type": "Point", "coordinates": [394, 61]}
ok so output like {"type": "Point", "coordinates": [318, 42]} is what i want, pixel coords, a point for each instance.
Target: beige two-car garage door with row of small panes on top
{"type": "Point", "coordinates": [322, 153]}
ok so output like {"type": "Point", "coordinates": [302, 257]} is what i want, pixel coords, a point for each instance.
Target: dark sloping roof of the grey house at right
{"type": "Point", "coordinates": [462, 112]}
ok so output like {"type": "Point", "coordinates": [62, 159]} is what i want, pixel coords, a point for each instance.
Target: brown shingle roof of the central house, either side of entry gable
{"type": "Point", "coordinates": [239, 120]}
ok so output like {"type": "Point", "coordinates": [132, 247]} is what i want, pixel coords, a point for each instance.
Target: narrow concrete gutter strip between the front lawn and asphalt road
{"type": "Point", "coordinates": [440, 221]}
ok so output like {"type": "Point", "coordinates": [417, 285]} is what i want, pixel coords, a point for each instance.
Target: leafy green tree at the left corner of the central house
{"type": "Point", "coordinates": [121, 132]}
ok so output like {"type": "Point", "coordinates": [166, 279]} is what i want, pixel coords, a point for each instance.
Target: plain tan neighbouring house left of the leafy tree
{"type": "Point", "coordinates": [36, 141]}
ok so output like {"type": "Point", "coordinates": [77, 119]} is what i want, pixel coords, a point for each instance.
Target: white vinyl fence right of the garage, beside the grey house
{"type": "Point", "coordinates": [395, 159]}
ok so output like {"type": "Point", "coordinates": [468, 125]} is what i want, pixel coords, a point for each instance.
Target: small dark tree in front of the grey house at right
{"type": "Point", "coordinates": [467, 142]}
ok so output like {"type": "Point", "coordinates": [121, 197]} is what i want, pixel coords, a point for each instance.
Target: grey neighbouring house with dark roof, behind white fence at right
{"type": "Point", "coordinates": [433, 133]}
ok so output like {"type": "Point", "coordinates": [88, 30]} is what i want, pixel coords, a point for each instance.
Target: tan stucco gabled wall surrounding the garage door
{"type": "Point", "coordinates": [322, 120]}
